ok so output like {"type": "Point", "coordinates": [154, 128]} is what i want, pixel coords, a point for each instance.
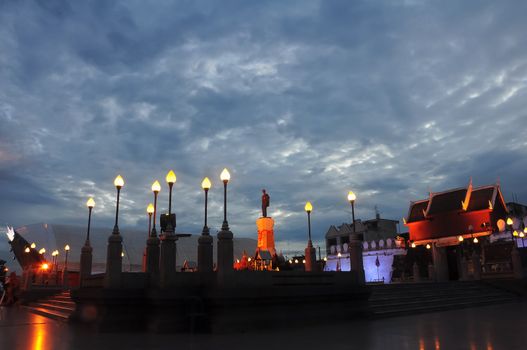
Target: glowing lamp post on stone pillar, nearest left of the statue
{"type": "Point", "coordinates": [225, 245]}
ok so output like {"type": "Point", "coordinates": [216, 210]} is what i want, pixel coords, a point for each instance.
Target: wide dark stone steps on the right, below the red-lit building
{"type": "Point", "coordinates": [403, 299]}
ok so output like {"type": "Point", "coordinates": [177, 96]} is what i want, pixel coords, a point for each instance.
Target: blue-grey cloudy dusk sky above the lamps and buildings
{"type": "Point", "coordinates": [307, 99]}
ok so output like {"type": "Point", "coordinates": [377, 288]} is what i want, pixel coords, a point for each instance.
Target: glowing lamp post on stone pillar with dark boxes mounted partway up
{"type": "Point", "coordinates": [167, 257]}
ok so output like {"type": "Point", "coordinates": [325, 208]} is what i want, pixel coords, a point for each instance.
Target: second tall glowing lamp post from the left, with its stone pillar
{"type": "Point", "coordinates": [114, 259]}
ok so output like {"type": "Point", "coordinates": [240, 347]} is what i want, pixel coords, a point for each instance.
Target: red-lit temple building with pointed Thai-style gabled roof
{"type": "Point", "coordinates": [460, 227]}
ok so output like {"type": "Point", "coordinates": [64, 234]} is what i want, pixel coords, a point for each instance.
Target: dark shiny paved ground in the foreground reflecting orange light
{"type": "Point", "coordinates": [489, 328]}
